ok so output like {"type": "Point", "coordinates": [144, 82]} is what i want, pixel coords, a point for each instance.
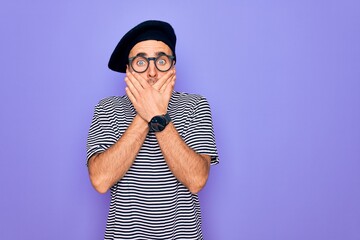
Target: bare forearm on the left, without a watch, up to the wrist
{"type": "Point", "coordinates": [108, 167]}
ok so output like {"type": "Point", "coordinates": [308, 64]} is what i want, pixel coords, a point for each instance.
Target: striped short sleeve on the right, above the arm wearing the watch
{"type": "Point", "coordinates": [199, 134]}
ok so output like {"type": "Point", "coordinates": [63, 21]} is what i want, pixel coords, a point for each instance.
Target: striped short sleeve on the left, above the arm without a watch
{"type": "Point", "coordinates": [101, 135]}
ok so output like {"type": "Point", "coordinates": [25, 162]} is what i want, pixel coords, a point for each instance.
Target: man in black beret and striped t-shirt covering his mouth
{"type": "Point", "coordinates": [152, 147]}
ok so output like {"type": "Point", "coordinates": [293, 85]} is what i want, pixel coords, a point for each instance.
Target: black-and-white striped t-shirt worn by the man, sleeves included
{"type": "Point", "coordinates": [149, 202]}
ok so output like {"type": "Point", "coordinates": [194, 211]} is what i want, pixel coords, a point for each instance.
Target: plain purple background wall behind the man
{"type": "Point", "coordinates": [283, 81]}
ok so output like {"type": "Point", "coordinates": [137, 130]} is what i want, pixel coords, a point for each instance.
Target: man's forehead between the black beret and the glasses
{"type": "Point", "coordinates": [150, 48]}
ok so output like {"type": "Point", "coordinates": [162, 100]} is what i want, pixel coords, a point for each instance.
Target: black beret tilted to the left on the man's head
{"type": "Point", "coordinates": [148, 30]}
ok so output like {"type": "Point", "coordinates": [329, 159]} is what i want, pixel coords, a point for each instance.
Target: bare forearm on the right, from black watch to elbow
{"type": "Point", "coordinates": [190, 168]}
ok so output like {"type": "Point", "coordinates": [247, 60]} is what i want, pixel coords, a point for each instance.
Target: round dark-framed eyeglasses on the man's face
{"type": "Point", "coordinates": [162, 62]}
